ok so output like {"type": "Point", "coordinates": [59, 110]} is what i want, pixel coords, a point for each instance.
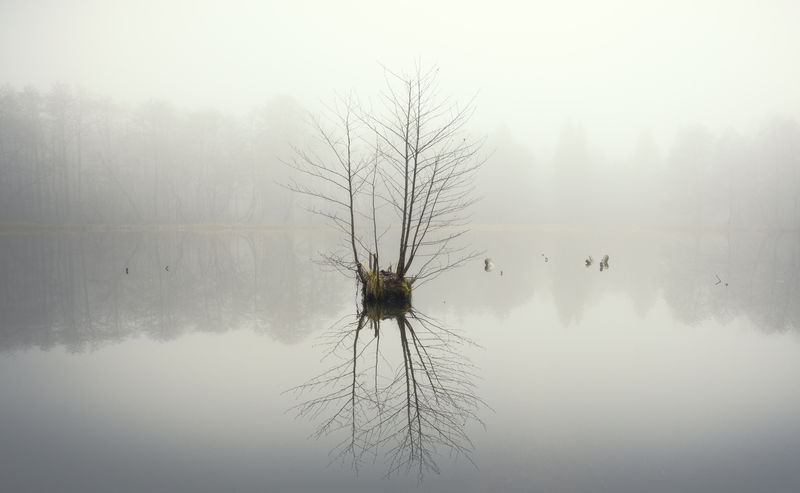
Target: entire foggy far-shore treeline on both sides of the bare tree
{"type": "Point", "coordinates": [71, 158]}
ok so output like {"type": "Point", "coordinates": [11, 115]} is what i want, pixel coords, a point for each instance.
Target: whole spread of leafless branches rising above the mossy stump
{"type": "Point", "coordinates": [408, 151]}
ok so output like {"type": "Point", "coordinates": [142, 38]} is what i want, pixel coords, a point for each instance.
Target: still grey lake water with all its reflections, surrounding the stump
{"type": "Point", "coordinates": [226, 362]}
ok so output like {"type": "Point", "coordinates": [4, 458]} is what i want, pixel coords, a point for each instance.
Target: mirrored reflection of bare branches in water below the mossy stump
{"type": "Point", "coordinates": [410, 406]}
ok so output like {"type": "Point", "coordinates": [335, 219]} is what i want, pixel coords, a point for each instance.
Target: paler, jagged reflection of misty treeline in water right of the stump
{"type": "Point", "coordinates": [762, 271]}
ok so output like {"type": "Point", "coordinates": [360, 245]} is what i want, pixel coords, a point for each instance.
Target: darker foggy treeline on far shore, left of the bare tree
{"type": "Point", "coordinates": [66, 157]}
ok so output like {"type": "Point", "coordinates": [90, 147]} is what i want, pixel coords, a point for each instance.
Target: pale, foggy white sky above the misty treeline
{"type": "Point", "coordinates": [618, 69]}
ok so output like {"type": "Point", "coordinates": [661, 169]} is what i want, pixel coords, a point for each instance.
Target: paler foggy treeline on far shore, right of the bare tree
{"type": "Point", "coordinates": [726, 180]}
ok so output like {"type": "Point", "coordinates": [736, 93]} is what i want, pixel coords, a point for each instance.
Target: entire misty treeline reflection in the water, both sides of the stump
{"type": "Point", "coordinates": [71, 289]}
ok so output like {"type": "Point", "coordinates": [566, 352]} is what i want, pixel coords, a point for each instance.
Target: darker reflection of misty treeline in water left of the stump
{"type": "Point", "coordinates": [72, 289]}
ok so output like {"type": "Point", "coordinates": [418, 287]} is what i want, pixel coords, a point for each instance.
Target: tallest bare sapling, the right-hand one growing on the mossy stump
{"type": "Point", "coordinates": [428, 168]}
